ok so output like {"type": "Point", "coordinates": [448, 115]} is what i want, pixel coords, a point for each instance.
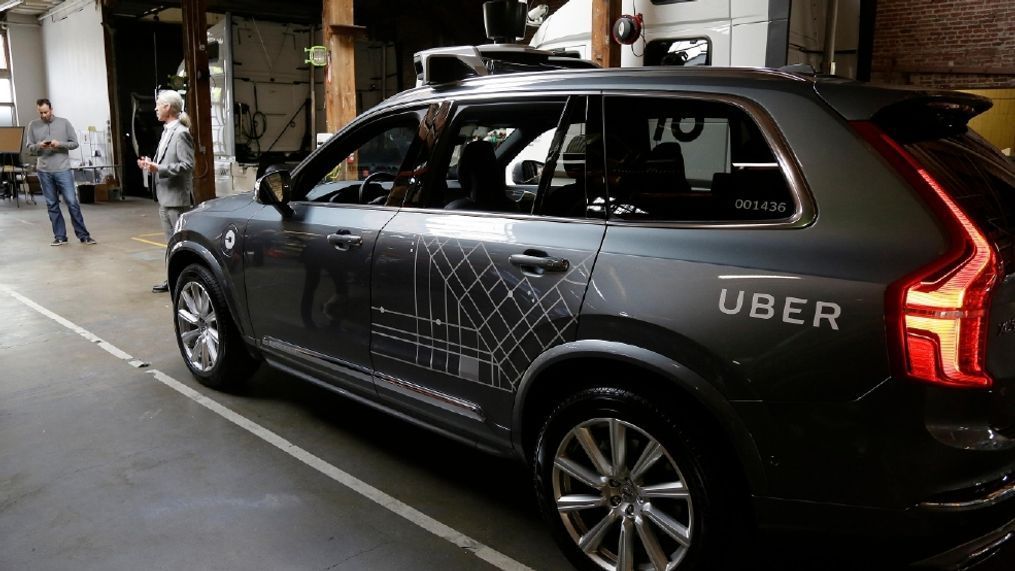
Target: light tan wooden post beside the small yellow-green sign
{"type": "Point", "coordinates": [341, 76]}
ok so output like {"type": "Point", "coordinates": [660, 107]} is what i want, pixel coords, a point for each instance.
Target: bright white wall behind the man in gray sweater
{"type": "Point", "coordinates": [76, 66]}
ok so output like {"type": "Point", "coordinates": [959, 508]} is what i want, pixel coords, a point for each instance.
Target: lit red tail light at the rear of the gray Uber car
{"type": "Point", "coordinates": [939, 314]}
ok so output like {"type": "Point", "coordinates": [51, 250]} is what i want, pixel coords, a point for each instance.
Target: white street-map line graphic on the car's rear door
{"type": "Point", "coordinates": [470, 320]}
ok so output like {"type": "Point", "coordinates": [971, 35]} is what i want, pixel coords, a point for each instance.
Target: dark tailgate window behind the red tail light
{"type": "Point", "coordinates": [979, 178]}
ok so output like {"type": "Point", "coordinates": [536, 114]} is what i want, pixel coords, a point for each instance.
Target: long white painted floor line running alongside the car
{"type": "Point", "coordinates": [389, 503]}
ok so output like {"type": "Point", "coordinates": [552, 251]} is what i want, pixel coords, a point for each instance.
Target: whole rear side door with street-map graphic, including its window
{"type": "Point", "coordinates": [475, 278]}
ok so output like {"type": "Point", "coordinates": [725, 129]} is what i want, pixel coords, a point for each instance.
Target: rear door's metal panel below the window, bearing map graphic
{"type": "Point", "coordinates": [473, 322]}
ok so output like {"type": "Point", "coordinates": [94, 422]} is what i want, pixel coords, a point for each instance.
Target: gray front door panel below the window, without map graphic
{"type": "Point", "coordinates": [310, 298]}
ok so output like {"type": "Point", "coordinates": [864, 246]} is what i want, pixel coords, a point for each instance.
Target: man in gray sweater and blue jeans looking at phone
{"type": "Point", "coordinates": [52, 138]}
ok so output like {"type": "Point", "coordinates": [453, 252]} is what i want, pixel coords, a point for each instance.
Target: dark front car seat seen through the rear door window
{"type": "Point", "coordinates": [483, 181]}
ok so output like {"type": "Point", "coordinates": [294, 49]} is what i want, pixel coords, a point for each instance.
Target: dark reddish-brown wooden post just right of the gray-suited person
{"type": "Point", "coordinates": [199, 97]}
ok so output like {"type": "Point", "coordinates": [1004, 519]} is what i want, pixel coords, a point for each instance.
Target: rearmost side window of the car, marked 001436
{"type": "Point", "coordinates": [690, 161]}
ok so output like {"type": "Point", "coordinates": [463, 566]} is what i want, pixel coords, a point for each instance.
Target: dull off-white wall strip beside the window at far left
{"type": "Point", "coordinates": [28, 65]}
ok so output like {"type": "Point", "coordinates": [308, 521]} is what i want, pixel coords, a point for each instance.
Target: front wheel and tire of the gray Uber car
{"type": "Point", "coordinates": [209, 339]}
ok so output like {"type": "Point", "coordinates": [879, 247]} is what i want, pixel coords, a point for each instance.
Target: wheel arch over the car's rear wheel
{"type": "Point", "coordinates": [542, 387]}
